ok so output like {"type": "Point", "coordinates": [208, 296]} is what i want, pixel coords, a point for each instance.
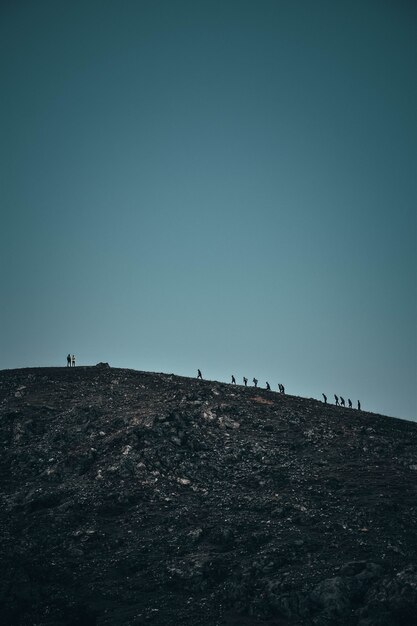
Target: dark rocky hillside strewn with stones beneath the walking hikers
{"type": "Point", "coordinates": [132, 498]}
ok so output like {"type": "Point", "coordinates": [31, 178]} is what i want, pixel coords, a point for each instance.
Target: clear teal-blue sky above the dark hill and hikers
{"type": "Point", "coordinates": [215, 184]}
